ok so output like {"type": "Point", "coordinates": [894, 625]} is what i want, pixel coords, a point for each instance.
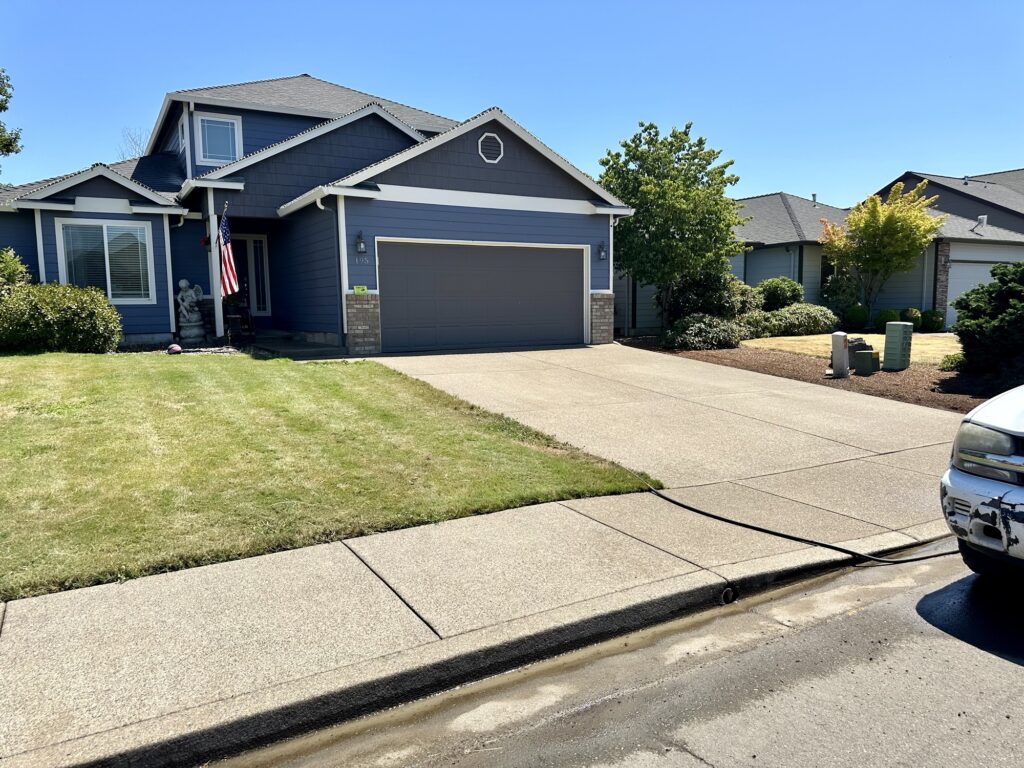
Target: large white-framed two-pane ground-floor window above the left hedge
{"type": "Point", "coordinates": [114, 257]}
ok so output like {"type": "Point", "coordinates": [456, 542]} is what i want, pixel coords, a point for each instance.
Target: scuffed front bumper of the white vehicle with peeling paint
{"type": "Point", "coordinates": [988, 515]}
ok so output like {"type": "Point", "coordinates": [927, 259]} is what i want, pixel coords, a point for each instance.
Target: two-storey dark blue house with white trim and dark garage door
{"type": "Point", "coordinates": [356, 222]}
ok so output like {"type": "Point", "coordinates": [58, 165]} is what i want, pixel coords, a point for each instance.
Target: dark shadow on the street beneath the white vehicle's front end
{"type": "Point", "coordinates": [985, 613]}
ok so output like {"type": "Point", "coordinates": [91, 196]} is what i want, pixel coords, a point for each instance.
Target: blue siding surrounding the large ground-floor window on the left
{"type": "Point", "coordinates": [144, 319]}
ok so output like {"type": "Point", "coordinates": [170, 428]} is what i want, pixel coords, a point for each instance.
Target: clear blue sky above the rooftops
{"type": "Point", "coordinates": [834, 99]}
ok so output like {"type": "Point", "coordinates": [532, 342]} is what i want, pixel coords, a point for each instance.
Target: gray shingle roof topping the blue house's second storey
{"type": "Point", "coordinates": [320, 97]}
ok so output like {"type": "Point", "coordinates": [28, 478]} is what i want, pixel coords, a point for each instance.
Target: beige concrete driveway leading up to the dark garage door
{"type": "Point", "coordinates": [735, 441]}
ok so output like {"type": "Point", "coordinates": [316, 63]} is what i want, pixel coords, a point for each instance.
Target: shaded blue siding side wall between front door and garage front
{"type": "Point", "coordinates": [306, 292]}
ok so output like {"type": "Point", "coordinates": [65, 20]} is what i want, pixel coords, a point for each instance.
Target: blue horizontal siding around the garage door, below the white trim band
{"type": "Point", "coordinates": [379, 220]}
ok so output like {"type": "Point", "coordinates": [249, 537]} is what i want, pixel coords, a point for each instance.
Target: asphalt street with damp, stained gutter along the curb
{"type": "Point", "coordinates": [894, 666]}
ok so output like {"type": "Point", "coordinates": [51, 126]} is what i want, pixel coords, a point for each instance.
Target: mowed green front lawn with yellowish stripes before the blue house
{"type": "Point", "coordinates": [116, 466]}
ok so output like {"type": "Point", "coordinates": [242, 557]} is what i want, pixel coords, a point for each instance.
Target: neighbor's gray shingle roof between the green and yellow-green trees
{"type": "Point", "coordinates": [781, 218]}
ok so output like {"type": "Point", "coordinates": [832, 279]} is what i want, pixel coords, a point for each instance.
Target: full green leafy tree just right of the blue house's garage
{"type": "Point", "coordinates": [685, 224]}
